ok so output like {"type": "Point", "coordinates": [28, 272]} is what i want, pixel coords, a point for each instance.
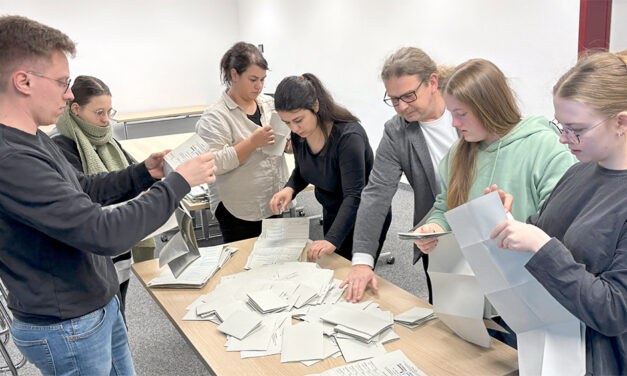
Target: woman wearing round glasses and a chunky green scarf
{"type": "Point", "coordinates": [86, 139]}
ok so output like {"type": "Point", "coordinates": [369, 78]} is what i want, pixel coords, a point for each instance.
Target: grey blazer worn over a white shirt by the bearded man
{"type": "Point", "coordinates": [402, 149]}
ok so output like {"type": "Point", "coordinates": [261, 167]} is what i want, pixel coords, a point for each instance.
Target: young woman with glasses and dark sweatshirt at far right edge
{"type": "Point", "coordinates": [579, 238]}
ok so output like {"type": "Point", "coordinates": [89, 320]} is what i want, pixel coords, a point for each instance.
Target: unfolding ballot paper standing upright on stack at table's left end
{"type": "Point", "coordinates": [182, 249]}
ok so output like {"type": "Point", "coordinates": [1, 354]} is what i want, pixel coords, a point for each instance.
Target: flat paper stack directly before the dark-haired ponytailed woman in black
{"type": "Point", "coordinates": [281, 240]}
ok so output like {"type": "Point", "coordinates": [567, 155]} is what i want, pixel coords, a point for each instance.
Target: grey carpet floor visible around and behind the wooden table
{"type": "Point", "coordinates": [159, 349]}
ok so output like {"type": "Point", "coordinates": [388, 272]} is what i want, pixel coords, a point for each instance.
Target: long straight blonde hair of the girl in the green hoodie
{"type": "Point", "coordinates": [480, 85]}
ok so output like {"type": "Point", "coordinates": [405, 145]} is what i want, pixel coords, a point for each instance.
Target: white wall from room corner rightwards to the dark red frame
{"type": "Point", "coordinates": [345, 43]}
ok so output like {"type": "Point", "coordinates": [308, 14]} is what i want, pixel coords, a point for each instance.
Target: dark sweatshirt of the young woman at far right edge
{"type": "Point", "coordinates": [584, 265]}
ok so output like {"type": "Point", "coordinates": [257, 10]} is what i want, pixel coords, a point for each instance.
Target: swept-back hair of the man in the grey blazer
{"type": "Point", "coordinates": [412, 61]}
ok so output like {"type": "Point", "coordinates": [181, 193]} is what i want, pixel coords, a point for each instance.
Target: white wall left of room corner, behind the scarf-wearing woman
{"type": "Point", "coordinates": [153, 54]}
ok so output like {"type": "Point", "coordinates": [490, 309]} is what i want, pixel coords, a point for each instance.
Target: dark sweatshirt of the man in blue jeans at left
{"type": "Point", "coordinates": [54, 232]}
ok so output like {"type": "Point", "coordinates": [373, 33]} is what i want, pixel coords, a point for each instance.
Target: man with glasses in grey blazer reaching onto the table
{"type": "Point", "coordinates": [413, 143]}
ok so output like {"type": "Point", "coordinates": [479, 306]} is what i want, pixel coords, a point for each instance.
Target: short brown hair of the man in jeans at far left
{"type": "Point", "coordinates": [22, 39]}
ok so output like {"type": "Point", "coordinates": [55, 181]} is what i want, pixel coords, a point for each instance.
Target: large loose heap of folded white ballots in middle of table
{"type": "Point", "coordinates": [255, 310]}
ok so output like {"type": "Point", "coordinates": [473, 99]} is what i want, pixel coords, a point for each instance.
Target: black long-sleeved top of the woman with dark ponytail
{"type": "Point", "coordinates": [339, 173]}
